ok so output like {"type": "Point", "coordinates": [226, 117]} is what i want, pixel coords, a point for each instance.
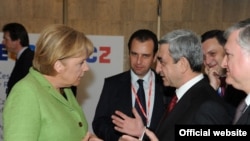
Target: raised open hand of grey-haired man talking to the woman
{"type": "Point", "coordinates": [128, 125]}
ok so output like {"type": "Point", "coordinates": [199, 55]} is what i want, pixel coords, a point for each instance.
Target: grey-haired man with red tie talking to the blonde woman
{"type": "Point", "coordinates": [179, 62]}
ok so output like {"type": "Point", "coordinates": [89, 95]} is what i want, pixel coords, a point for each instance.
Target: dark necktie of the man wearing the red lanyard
{"type": "Point", "coordinates": [142, 101]}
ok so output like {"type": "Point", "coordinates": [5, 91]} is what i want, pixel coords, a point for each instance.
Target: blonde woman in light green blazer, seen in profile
{"type": "Point", "coordinates": [41, 106]}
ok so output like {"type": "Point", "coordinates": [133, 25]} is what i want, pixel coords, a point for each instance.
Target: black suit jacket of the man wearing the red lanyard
{"type": "Point", "coordinates": [116, 95]}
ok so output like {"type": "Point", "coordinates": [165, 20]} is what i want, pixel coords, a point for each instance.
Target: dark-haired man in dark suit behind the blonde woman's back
{"type": "Point", "coordinates": [16, 42]}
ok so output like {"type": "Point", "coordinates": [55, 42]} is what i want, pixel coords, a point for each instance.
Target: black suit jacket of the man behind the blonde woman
{"type": "Point", "coordinates": [21, 68]}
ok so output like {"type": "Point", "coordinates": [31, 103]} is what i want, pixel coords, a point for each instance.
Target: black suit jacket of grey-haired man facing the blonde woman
{"type": "Point", "coordinates": [199, 105]}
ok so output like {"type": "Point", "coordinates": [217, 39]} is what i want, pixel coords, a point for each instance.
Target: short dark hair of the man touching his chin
{"type": "Point", "coordinates": [215, 33]}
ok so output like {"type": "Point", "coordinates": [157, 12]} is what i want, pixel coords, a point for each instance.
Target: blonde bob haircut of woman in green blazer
{"type": "Point", "coordinates": [58, 42]}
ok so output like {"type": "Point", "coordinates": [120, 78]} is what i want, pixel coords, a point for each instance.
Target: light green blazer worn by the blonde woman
{"type": "Point", "coordinates": [35, 111]}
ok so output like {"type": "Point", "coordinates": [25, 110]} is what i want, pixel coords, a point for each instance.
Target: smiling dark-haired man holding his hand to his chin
{"type": "Point", "coordinates": [213, 50]}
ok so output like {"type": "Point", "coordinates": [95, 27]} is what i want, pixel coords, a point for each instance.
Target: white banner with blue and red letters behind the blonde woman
{"type": "Point", "coordinates": [106, 60]}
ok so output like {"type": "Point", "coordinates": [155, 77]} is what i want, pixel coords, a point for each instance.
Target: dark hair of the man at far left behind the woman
{"type": "Point", "coordinates": [17, 31]}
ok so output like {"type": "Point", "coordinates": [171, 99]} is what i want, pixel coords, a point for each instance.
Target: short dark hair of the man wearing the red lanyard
{"type": "Point", "coordinates": [144, 35]}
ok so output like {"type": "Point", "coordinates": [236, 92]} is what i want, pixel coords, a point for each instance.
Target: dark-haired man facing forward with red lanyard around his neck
{"type": "Point", "coordinates": [119, 93]}
